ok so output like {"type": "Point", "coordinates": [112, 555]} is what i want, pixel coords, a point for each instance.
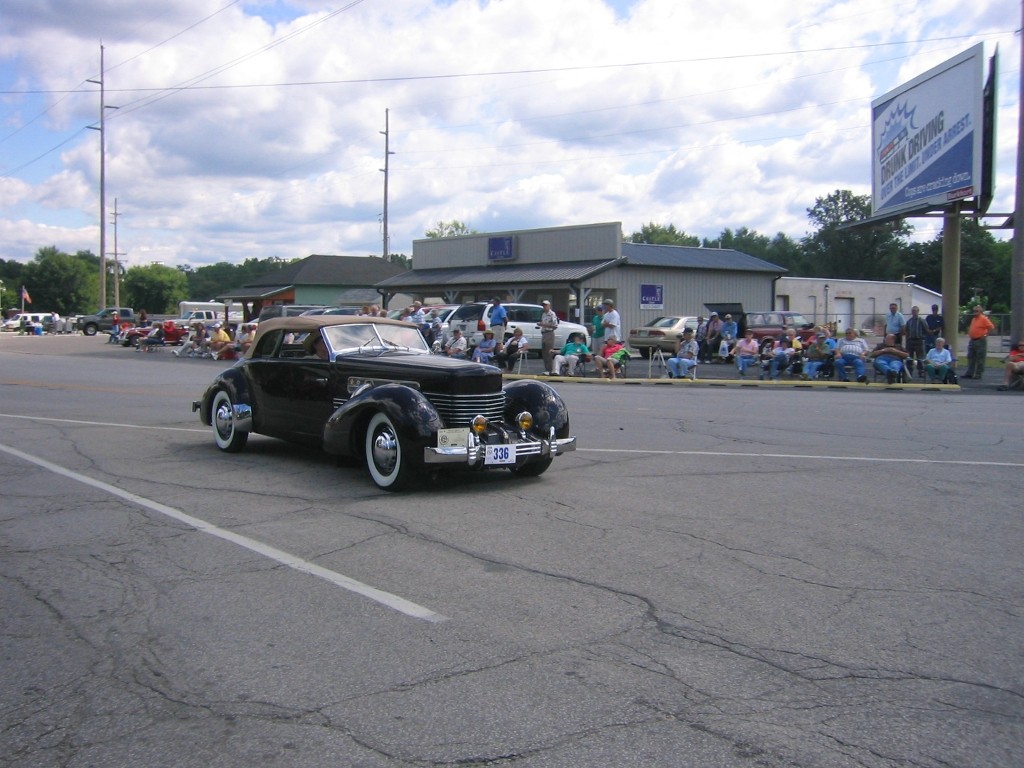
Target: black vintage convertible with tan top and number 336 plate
{"type": "Point", "coordinates": [370, 388]}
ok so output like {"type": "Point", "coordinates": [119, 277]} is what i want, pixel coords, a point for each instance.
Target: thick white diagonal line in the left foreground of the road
{"type": "Point", "coordinates": [385, 599]}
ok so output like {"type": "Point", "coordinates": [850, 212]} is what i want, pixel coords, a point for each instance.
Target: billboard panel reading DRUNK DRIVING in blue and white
{"type": "Point", "coordinates": [927, 139]}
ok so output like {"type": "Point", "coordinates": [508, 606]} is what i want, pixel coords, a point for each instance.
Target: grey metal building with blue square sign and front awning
{"type": "Point", "coordinates": [578, 268]}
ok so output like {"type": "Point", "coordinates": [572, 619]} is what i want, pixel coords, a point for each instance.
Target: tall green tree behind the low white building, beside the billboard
{"type": "Point", "coordinates": [863, 253]}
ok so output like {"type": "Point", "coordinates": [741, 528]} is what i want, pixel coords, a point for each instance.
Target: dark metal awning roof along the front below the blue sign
{"type": "Point", "coordinates": [562, 272]}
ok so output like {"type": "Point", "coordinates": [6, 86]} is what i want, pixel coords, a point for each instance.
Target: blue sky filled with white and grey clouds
{"type": "Point", "coordinates": [253, 129]}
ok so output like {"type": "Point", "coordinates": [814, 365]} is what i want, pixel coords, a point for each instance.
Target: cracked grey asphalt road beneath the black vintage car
{"type": "Point", "coordinates": [718, 577]}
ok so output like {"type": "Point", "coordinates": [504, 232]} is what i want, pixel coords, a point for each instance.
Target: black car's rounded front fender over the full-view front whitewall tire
{"type": "Point", "coordinates": [413, 415]}
